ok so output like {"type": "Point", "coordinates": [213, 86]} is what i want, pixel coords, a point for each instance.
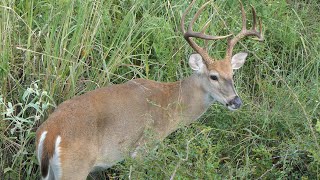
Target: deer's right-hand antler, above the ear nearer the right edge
{"type": "Point", "coordinates": [244, 32]}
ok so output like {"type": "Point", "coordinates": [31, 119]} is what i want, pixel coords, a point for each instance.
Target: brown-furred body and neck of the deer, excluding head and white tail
{"type": "Point", "coordinates": [114, 120]}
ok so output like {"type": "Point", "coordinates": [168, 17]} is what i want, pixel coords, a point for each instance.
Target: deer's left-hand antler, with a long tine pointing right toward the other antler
{"type": "Point", "coordinates": [190, 33]}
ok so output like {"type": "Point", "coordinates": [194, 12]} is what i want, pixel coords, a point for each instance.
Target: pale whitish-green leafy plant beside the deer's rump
{"type": "Point", "coordinates": [21, 120]}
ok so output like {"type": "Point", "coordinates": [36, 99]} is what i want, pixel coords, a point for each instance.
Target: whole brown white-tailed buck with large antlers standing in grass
{"type": "Point", "coordinates": [102, 127]}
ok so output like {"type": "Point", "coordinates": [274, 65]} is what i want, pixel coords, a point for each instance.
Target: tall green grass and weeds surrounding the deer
{"type": "Point", "coordinates": [53, 50]}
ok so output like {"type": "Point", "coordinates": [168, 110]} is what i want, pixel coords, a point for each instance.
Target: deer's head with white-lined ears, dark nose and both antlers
{"type": "Point", "coordinates": [216, 76]}
